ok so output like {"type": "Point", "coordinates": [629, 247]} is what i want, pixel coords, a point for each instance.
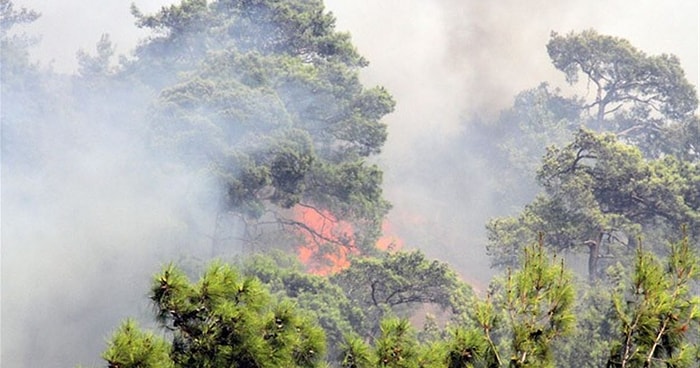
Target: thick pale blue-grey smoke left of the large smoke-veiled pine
{"type": "Point", "coordinates": [88, 214]}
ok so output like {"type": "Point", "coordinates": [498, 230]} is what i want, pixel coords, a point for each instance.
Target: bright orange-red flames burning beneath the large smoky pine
{"type": "Point", "coordinates": [320, 228]}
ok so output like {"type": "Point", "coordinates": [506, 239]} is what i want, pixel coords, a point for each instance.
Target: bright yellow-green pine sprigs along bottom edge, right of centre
{"type": "Point", "coordinates": [527, 314]}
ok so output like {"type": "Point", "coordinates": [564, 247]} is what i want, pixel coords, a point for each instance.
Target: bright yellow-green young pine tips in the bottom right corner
{"type": "Point", "coordinates": [658, 311]}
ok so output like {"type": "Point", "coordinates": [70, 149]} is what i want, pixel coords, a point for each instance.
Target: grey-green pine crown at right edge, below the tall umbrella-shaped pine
{"type": "Point", "coordinates": [600, 194]}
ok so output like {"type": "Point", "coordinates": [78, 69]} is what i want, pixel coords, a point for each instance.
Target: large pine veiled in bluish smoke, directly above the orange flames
{"type": "Point", "coordinates": [267, 94]}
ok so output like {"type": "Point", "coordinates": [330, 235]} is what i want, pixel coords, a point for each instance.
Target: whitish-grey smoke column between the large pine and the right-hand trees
{"type": "Point", "coordinates": [451, 62]}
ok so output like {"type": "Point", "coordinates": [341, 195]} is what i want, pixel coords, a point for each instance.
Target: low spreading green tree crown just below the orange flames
{"type": "Point", "coordinates": [353, 302]}
